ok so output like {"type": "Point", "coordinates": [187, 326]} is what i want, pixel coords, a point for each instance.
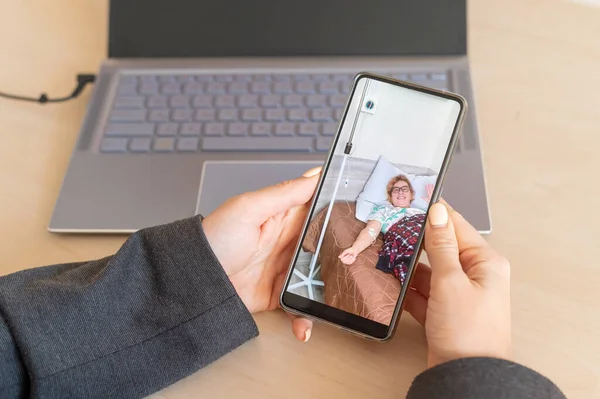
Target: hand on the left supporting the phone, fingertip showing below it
{"type": "Point", "coordinates": [254, 236]}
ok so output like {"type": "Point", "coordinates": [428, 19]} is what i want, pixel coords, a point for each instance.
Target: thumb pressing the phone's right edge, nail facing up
{"type": "Point", "coordinates": [441, 244]}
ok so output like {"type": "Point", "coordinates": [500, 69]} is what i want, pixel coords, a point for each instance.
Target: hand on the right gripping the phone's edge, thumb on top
{"type": "Point", "coordinates": [463, 299]}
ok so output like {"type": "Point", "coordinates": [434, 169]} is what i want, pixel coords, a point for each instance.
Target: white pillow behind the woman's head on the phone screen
{"type": "Point", "coordinates": [374, 190]}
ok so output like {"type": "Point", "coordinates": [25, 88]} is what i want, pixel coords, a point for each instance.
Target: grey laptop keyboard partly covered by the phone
{"type": "Point", "coordinates": [221, 112]}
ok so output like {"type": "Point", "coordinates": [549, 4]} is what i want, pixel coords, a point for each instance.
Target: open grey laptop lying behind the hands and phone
{"type": "Point", "coordinates": [201, 100]}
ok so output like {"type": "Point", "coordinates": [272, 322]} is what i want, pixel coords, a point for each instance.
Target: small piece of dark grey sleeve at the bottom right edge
{"type": "Point", "coordinates": [482, 378]}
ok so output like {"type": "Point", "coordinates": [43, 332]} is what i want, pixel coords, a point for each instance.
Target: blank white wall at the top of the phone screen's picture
{"type": "Point", "coordinates": [408, 127]}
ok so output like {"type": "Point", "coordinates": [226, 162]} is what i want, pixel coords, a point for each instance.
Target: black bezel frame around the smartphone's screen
{"type": "Point", "coordinates": [350, 322]}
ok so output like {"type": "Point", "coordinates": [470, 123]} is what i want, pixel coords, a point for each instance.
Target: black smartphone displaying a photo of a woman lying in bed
{"type": "Point", "coordinates": [362, 237]}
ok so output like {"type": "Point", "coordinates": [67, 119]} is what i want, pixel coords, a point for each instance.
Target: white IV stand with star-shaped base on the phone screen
{"type": "Point", "coordinates": [309, 280]}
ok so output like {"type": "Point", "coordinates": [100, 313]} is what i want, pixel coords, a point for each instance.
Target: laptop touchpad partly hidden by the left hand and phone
{"type": "Point", "coordinates": [223, 180]}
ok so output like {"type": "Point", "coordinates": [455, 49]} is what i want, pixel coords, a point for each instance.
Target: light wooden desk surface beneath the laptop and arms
{"type": "Point", "coordinates": [535, 66]}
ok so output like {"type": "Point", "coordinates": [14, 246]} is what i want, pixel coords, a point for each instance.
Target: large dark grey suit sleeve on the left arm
{"type": "Point", "coordinates": [124, 326]}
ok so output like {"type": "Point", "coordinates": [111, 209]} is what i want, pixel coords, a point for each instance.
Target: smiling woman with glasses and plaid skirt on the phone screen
{"type": "Point", "coordinates": [401, 227]}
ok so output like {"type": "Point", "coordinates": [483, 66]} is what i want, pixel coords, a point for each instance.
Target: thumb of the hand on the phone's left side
{"type": "Point", "coordinates": [282, 197]}
